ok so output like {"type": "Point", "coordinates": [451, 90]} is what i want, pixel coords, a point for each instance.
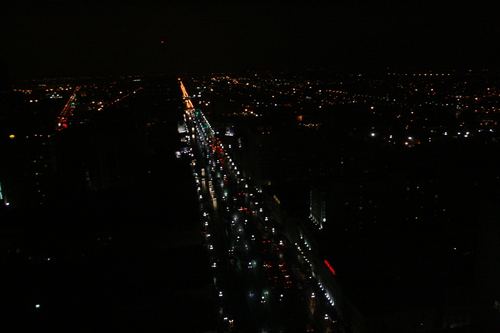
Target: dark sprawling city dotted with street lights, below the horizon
{"type": "Point", "coordinates": [318, 193]}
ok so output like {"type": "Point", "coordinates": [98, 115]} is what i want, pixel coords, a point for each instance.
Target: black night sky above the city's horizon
{"type": "Point", "coordinates": [62, 38]}
